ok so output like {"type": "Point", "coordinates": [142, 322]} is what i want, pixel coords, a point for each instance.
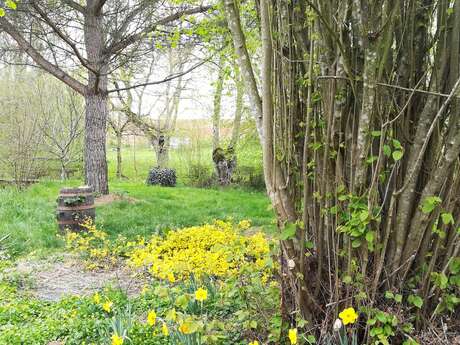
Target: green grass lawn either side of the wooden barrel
{"type": "Point", "coordinates": [28, 217]}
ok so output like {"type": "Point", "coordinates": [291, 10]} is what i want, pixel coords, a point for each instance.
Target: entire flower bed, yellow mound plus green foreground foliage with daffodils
{"type": "Point", "coordinates": [215, 297]}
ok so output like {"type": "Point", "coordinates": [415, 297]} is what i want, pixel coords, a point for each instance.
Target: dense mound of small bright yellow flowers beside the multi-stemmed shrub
{"type": "Point", "coordinates": [218, 249]}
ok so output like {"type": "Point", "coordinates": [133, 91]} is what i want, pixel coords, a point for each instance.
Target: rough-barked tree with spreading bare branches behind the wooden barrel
{"type": "Point", "coordinates": [82, 44]}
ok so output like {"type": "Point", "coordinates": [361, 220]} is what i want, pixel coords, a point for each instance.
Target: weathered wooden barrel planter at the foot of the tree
{"type": "Point", "coordinates": [75, 205]}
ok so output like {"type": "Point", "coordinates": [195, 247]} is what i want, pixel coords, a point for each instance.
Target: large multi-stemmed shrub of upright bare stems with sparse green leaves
{"type": "Point", "coordinates": [361, 157]}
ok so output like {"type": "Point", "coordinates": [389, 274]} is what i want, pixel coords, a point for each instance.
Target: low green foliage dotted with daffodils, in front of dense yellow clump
{"type": "Point", "coordinates": [233, 310]}
